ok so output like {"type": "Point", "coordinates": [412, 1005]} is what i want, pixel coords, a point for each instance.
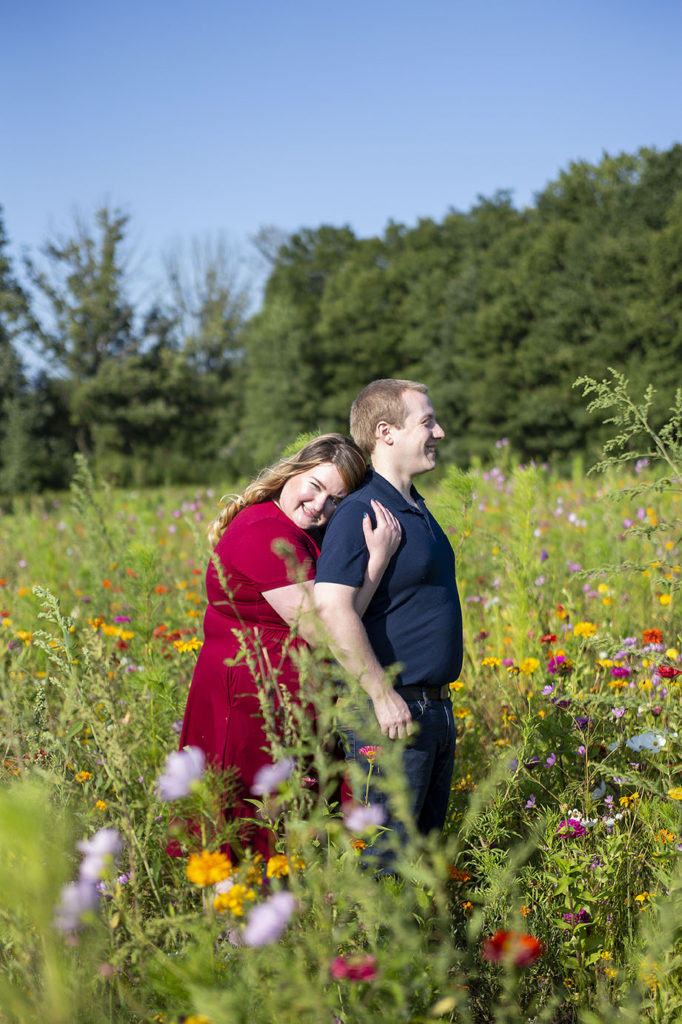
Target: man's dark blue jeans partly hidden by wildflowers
{"type": "Point", "coordinates": [429, 761]}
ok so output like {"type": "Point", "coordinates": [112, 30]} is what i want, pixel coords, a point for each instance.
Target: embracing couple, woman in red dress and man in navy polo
{"type": "Point", "coordinates": [371, 565]}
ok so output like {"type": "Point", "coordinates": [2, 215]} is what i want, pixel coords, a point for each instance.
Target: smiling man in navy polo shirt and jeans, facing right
{"type": "Point", "coordinates": [414, 619]}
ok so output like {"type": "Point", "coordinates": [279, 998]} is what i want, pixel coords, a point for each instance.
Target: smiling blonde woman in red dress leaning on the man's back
{"type": "Point", "coordinates": [260, 586]}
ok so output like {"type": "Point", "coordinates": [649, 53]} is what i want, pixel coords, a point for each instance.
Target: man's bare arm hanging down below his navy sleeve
{"type": "Point", "coordinates": [352, 649]}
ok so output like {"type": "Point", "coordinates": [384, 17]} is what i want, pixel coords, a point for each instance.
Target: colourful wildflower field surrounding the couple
{"type": "Point", "coordinates": [556, 894]}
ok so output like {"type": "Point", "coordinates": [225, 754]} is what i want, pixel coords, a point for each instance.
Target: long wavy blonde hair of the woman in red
{"type": "Point", "coordinates": [340, 451]}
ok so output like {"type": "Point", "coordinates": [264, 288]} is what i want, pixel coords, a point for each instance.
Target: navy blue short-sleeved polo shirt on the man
{"type": "Point", "coordinates": [415, 618]}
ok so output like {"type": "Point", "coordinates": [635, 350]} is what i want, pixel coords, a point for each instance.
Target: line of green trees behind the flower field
{"type": "Point", "coordinates": [498, 310]}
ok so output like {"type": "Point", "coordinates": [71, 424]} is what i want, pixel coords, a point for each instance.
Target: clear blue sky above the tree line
{"type": "Point", "coordinates": [228, 115]}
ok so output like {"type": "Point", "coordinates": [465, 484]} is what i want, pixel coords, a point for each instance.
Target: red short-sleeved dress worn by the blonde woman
{"type": "Point", "coordinates": [223, 716]}
